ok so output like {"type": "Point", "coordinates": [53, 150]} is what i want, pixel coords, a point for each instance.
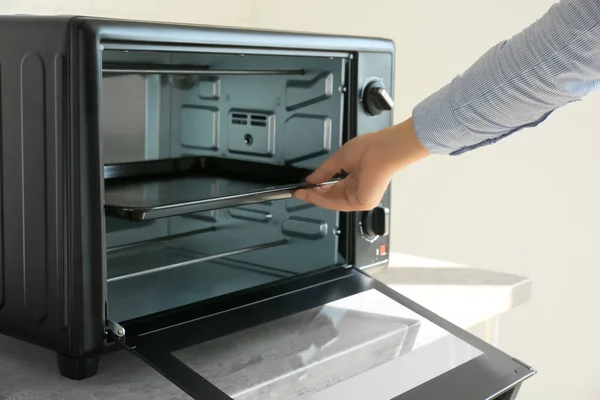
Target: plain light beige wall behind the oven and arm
{"type": "Point", "coordinates": [529, 205]}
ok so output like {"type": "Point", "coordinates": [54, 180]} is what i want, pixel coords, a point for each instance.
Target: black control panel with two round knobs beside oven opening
{"type": "Point", "coordinates": [374, 111]}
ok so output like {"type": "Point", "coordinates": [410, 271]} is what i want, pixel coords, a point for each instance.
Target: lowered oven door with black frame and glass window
{"type": "Point", "coordinates": [334, 335]}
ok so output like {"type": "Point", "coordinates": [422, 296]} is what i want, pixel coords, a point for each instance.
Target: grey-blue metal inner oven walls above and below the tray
{"type": "Point", "coordinates": [276, 119]}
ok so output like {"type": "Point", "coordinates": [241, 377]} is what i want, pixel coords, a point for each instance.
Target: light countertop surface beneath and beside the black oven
{"type": "Point", "coordinates": [463, 295]}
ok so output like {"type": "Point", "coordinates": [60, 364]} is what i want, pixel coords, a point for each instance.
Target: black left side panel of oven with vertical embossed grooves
{"type": "Point", "coordinates": [34, 274]}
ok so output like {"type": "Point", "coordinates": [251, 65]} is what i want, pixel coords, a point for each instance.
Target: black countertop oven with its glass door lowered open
{"type": "Point", "coordinates": [145, 194]}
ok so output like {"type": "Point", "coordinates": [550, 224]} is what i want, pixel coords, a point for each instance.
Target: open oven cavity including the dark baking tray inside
{"type": "Point", "coordinates": [196, 146]}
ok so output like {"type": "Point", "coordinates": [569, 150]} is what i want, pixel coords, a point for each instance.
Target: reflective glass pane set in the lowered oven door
{"type": "Point", "coordinates": [363, 346]}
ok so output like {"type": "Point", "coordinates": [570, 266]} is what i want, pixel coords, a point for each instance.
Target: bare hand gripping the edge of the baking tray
{"type": "Point", "coordinates": [371, 160]}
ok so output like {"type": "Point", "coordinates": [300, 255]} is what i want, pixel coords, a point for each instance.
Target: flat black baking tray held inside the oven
{"type": "Point", "coordinates": [179, 187]}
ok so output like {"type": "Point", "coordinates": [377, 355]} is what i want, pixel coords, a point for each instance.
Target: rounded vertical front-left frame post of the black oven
{"type": "Point", "coordinates": [86, 193]}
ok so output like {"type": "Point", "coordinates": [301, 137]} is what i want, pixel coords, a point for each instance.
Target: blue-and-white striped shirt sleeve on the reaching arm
{"type": "Point", "coordinates": [517, 83]}
